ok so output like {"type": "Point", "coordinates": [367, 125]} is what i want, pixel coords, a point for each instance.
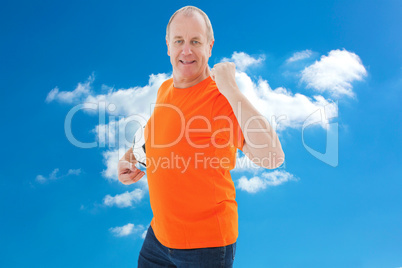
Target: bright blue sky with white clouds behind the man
{"type": "Point", "coordinates": [61, 205]}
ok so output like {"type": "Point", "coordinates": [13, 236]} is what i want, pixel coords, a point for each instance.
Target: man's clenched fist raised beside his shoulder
{"type": "Point", "coordinates": [224, 76]}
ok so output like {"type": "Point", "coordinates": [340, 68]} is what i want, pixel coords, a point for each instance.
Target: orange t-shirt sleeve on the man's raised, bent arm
{"type": "Point", "coordinates": [226, 127]}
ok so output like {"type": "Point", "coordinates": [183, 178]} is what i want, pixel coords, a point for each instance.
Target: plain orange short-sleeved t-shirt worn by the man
{"type": "Point", "coordinates": [190, 141]}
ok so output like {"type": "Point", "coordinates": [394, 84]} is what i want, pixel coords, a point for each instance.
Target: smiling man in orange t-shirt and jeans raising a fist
{"type": "Point", "coordinates": [199, 121]}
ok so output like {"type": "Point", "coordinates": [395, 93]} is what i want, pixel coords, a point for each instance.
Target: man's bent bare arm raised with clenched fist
{"type": "Point", "coordinates": [261, 144]}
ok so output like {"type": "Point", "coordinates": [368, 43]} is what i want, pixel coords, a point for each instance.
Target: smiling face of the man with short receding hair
{"type": "Point", "coordinates": [188, 47]}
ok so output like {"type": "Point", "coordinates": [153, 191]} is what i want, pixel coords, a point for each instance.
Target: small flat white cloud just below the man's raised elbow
{"type": "Point", "coordinates": [259, 183]}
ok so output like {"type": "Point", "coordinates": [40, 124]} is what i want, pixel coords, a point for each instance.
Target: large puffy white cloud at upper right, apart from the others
{"type": "Point", "coordinates": [335, 73]}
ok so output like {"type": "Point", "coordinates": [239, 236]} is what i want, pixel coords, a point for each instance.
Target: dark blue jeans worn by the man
{"type": "Point", "coordinates": [154, 254]}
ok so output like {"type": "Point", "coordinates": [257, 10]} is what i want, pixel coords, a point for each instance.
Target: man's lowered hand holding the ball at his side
{"type": "Point", "coordinates": [128, 173]}
